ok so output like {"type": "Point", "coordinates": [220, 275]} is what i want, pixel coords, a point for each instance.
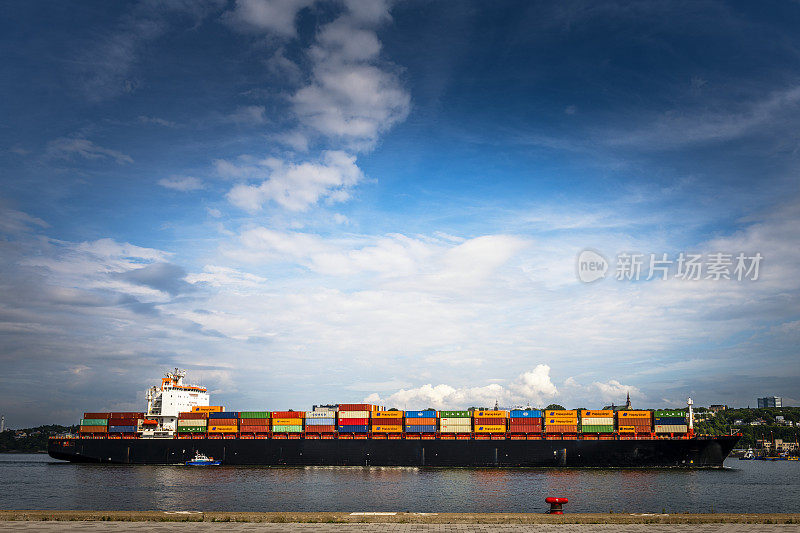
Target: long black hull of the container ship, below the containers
{"type": "Point", "coordinates": [700, 452]}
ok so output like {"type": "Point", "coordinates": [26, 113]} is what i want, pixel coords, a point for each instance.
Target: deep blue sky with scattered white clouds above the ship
{"type": "Point", "coordinates": [307, 201]}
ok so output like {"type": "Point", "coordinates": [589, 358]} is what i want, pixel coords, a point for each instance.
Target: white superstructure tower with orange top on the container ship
{"type": "Point", "coordinates": [173, 397]}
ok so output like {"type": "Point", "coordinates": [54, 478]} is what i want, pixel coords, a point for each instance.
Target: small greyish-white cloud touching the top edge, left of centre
{"type": "Point", "coordinates": [276, 17]}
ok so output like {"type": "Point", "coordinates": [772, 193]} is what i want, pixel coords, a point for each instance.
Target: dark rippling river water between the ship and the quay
{"type": "Point", "coordinates": [36, 481]}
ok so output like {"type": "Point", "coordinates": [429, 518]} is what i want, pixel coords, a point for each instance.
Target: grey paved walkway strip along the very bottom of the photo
{"type": "Point", "coordinates": [204, 527]}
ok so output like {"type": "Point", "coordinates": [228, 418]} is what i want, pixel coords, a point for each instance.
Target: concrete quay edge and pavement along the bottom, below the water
{"type": "Point", "coordinates": [197, 522]}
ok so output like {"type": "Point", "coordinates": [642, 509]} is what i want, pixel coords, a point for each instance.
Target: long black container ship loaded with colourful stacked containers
{"type": "Point", "coordinates": [180, 423]}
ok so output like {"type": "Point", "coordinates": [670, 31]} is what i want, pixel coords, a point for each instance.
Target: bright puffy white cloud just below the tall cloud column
{"type": "Point", "coordinates": [296, 187]}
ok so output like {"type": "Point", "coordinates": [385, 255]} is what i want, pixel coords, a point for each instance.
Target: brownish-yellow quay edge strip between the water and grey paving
{"type": "Point", "coordinates": [404, 517]}
